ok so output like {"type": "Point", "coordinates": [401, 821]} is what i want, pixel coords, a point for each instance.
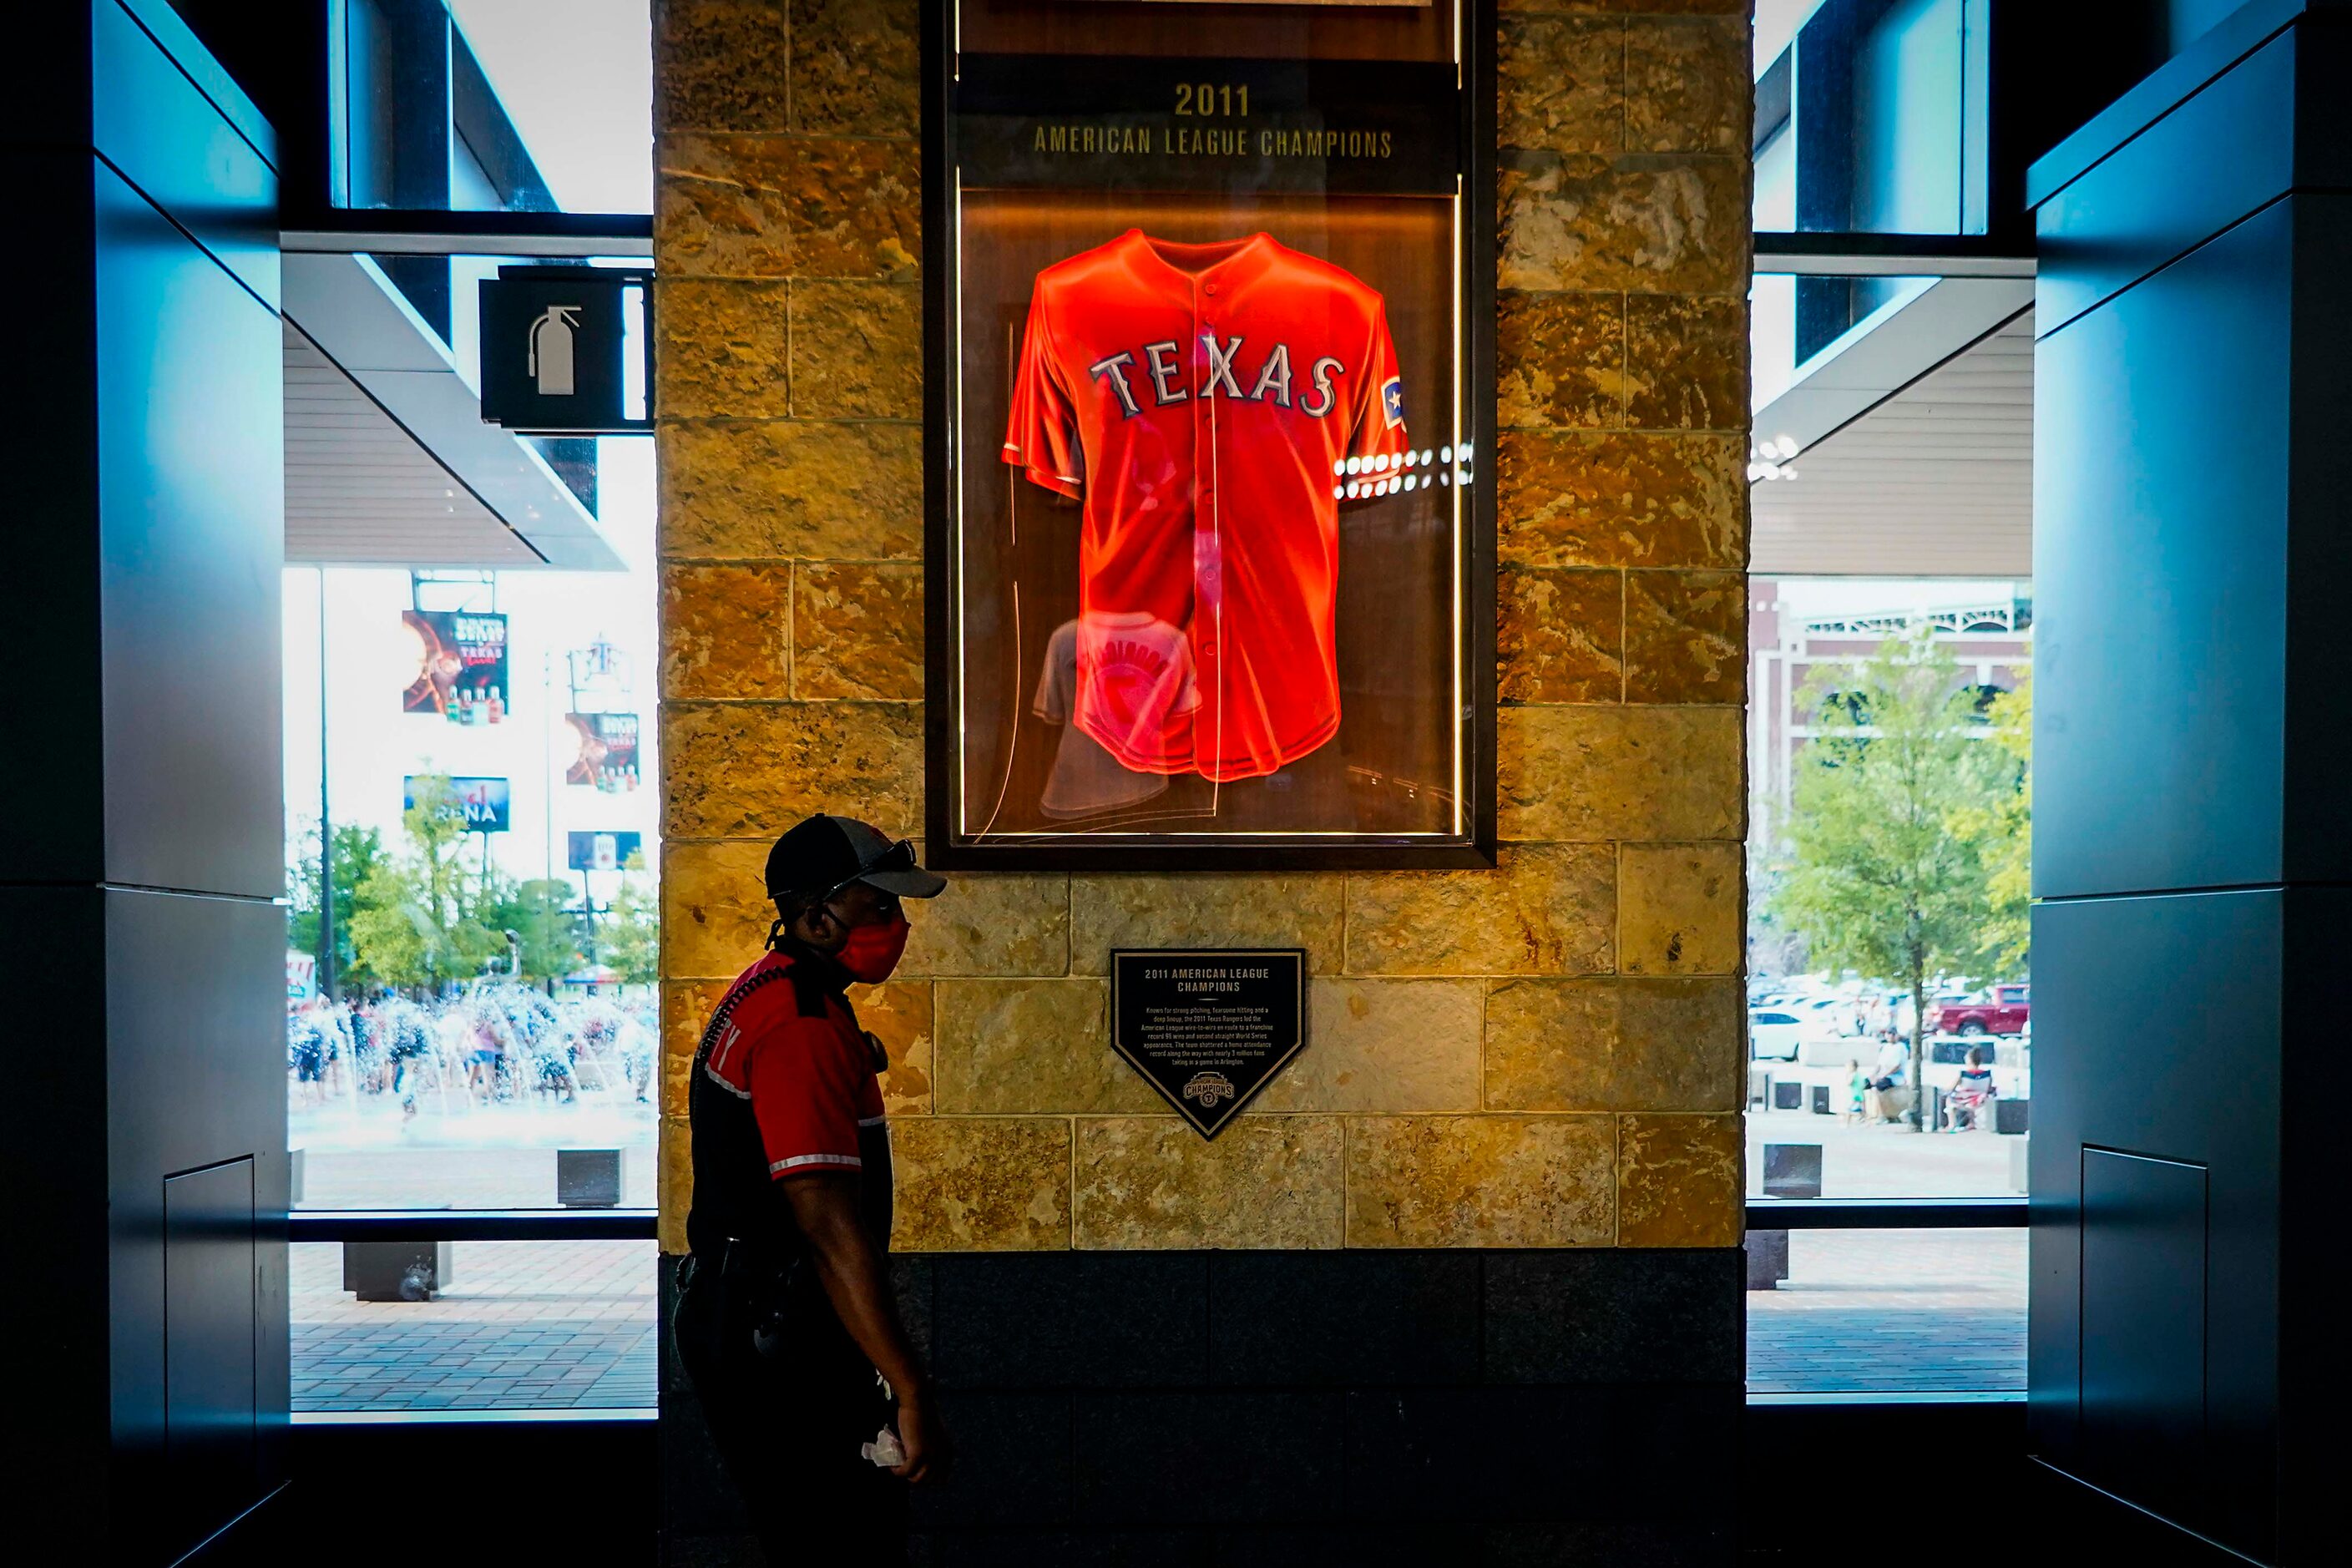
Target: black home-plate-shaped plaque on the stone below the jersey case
{"type": "Point", "coordinates": [1208, 1028]}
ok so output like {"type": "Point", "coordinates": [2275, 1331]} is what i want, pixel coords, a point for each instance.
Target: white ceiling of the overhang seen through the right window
{"type": "Point", "coordinates": [1937, 481]}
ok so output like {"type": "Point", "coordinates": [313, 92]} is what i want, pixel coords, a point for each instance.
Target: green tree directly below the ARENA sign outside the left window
{"type": "Point", "coordinates": [420, 925]}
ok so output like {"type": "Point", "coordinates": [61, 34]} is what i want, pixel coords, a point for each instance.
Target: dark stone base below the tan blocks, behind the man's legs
{"type": "Point", "coordinates": [1234, 1409]}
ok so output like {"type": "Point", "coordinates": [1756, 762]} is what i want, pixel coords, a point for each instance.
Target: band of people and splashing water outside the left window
{"type": "Point", "coordinates": [493, 1043]}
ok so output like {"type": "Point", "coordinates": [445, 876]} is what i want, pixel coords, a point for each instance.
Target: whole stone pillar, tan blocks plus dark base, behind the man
{"type": "Point", "coordinates": [1502, 1184]}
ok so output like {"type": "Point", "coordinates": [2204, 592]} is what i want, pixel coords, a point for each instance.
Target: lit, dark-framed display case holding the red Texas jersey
{"type": "Point", "coordinates": [1210, 434]}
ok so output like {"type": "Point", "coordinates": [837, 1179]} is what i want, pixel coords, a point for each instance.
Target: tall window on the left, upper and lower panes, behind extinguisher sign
{"type": "Point", "coordinates": [472, 753]}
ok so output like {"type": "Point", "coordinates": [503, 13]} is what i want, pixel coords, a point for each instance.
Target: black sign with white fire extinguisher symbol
{"type": "Point", "coordinates": [568, 349]}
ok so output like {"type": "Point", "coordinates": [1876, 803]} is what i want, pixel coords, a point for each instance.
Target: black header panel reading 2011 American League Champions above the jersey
{"type": "Point", "coordinates": [1135, 123]}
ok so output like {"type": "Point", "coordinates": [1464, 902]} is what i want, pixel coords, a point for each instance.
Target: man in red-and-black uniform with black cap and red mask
{"type": "Point", "coordinates": [787, 1320]}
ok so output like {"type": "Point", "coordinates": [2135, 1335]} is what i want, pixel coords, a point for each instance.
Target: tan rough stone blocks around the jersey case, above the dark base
{"type": "Point", "coordinates": [1539, 1057]}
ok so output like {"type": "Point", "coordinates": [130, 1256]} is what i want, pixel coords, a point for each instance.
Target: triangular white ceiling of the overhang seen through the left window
{"type": "Point", "coordinates": [361, 490]}
